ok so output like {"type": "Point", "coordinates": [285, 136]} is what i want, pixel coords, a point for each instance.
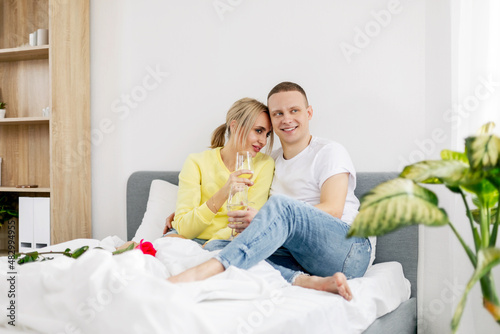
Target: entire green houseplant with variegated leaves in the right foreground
{"type": "Point", "coordinates": [473, 174]}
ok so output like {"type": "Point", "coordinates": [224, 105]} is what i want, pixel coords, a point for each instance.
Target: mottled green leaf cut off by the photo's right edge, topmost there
{"type": "Point", "coordinates": [483, 151]}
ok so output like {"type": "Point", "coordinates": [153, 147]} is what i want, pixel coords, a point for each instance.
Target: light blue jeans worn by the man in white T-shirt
{"type": "Point", "coordinates": [315, 240]}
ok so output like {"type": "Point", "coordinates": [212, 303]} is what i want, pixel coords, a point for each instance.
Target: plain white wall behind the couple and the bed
{"type": "Point", "coordinates": [383, 101]}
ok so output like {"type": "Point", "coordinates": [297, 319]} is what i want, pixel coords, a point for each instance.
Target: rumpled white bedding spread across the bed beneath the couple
{"type": "Point", "coordinates": [129, 293]}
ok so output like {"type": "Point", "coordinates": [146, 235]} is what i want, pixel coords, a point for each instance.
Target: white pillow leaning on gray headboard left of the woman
{"type": "Point", "coordinates": [161, 203]}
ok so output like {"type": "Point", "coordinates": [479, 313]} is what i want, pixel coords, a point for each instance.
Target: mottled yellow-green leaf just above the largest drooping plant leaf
{"type": "Point", "coordinates": [453, 173]}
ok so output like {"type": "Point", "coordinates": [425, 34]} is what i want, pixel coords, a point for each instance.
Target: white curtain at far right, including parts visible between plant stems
{"type": "Point", "coordinates": [475, 81]}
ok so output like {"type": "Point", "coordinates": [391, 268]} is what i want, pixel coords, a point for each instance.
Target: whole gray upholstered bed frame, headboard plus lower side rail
{"type": "Point", "coordinates": [400, 245]}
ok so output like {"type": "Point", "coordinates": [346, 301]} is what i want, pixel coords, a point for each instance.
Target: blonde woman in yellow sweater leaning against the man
{"type": "Point", "coordinates": [206, 177]}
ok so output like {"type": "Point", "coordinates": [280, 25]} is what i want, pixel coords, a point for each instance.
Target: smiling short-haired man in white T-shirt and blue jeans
{"type": "Point", "coordinates": [301, 229]}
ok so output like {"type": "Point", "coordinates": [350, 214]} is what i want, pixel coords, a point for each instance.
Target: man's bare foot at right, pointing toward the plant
{"type": "Point", "coordinates": [335, 284]}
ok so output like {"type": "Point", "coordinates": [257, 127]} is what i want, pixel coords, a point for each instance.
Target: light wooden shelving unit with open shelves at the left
{"type": "Point", "coordinates": [47, 151]}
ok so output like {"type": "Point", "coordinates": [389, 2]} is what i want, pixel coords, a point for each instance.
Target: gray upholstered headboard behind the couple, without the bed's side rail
{"type": "Point", "coordinates": [400, 245]}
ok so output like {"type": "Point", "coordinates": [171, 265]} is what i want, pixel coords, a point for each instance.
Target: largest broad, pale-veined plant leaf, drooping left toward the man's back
{"type": "Point", "coordinates": [394, 204]}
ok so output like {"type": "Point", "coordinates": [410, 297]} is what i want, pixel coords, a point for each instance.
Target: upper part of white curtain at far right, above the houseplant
{"type": "Point", "coordinates": [475, 65]}
